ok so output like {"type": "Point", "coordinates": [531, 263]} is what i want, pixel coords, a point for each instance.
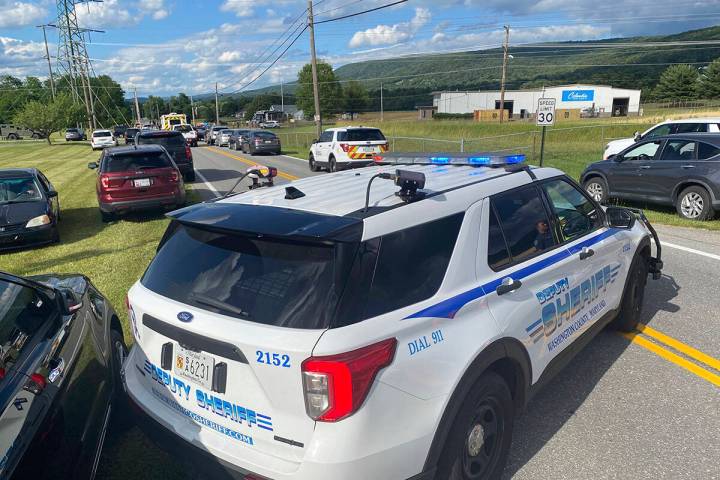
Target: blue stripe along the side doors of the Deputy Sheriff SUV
{"type": "Point", "coordinates": [448, 308]}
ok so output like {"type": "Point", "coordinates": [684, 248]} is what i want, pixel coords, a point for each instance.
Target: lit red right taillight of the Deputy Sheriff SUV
{"type": "Point", "coordinates": [335, 386]}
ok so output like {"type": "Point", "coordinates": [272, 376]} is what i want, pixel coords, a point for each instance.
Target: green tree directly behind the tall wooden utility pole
{"type": "Point", "coordinates": [331, 96]}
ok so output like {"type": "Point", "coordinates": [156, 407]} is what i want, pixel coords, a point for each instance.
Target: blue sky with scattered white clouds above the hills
{"type": "Point", "coordinates": [163, 47]}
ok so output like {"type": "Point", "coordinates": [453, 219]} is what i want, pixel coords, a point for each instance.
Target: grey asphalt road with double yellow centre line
{"type": "Point", "coordinates": [643, 406]}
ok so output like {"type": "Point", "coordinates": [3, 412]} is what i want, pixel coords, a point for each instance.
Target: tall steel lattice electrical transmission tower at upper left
{"type": "Point", "coordinates": [72, 59]}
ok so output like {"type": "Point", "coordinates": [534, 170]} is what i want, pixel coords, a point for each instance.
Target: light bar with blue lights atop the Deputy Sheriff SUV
{"type": "Point", "coordinates": [491, 159]}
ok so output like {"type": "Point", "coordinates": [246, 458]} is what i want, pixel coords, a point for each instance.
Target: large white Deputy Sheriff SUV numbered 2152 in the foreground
{"type": "Point", "coordinates": [384, 323]}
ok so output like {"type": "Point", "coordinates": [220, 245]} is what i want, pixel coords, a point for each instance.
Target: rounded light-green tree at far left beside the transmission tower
{"type": "Point", "coordinates": [49, 117]}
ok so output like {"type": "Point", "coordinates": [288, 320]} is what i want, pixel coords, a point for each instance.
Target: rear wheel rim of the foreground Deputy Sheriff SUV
{"type": "Point", "coordinates": [483, 441]}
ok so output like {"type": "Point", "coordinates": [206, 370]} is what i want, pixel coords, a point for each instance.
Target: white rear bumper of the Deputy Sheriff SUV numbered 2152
{"type": "Point", "coordinates": [349, 451]}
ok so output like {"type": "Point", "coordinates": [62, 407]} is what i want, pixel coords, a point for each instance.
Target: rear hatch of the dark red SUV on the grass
{"type": "Point", "coordinates": [138, 174]}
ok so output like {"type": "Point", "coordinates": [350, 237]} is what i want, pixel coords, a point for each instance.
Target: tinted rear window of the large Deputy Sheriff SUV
{"type": "Point", "coordinates": [281, 283]}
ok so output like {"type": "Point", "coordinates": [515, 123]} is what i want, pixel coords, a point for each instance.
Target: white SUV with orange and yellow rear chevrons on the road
{"type": "Point", "coordinates": [346, 147]}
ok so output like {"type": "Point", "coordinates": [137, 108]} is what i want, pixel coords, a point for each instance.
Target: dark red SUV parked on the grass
{"type": "Point", "coordinates": [137, 178]}
